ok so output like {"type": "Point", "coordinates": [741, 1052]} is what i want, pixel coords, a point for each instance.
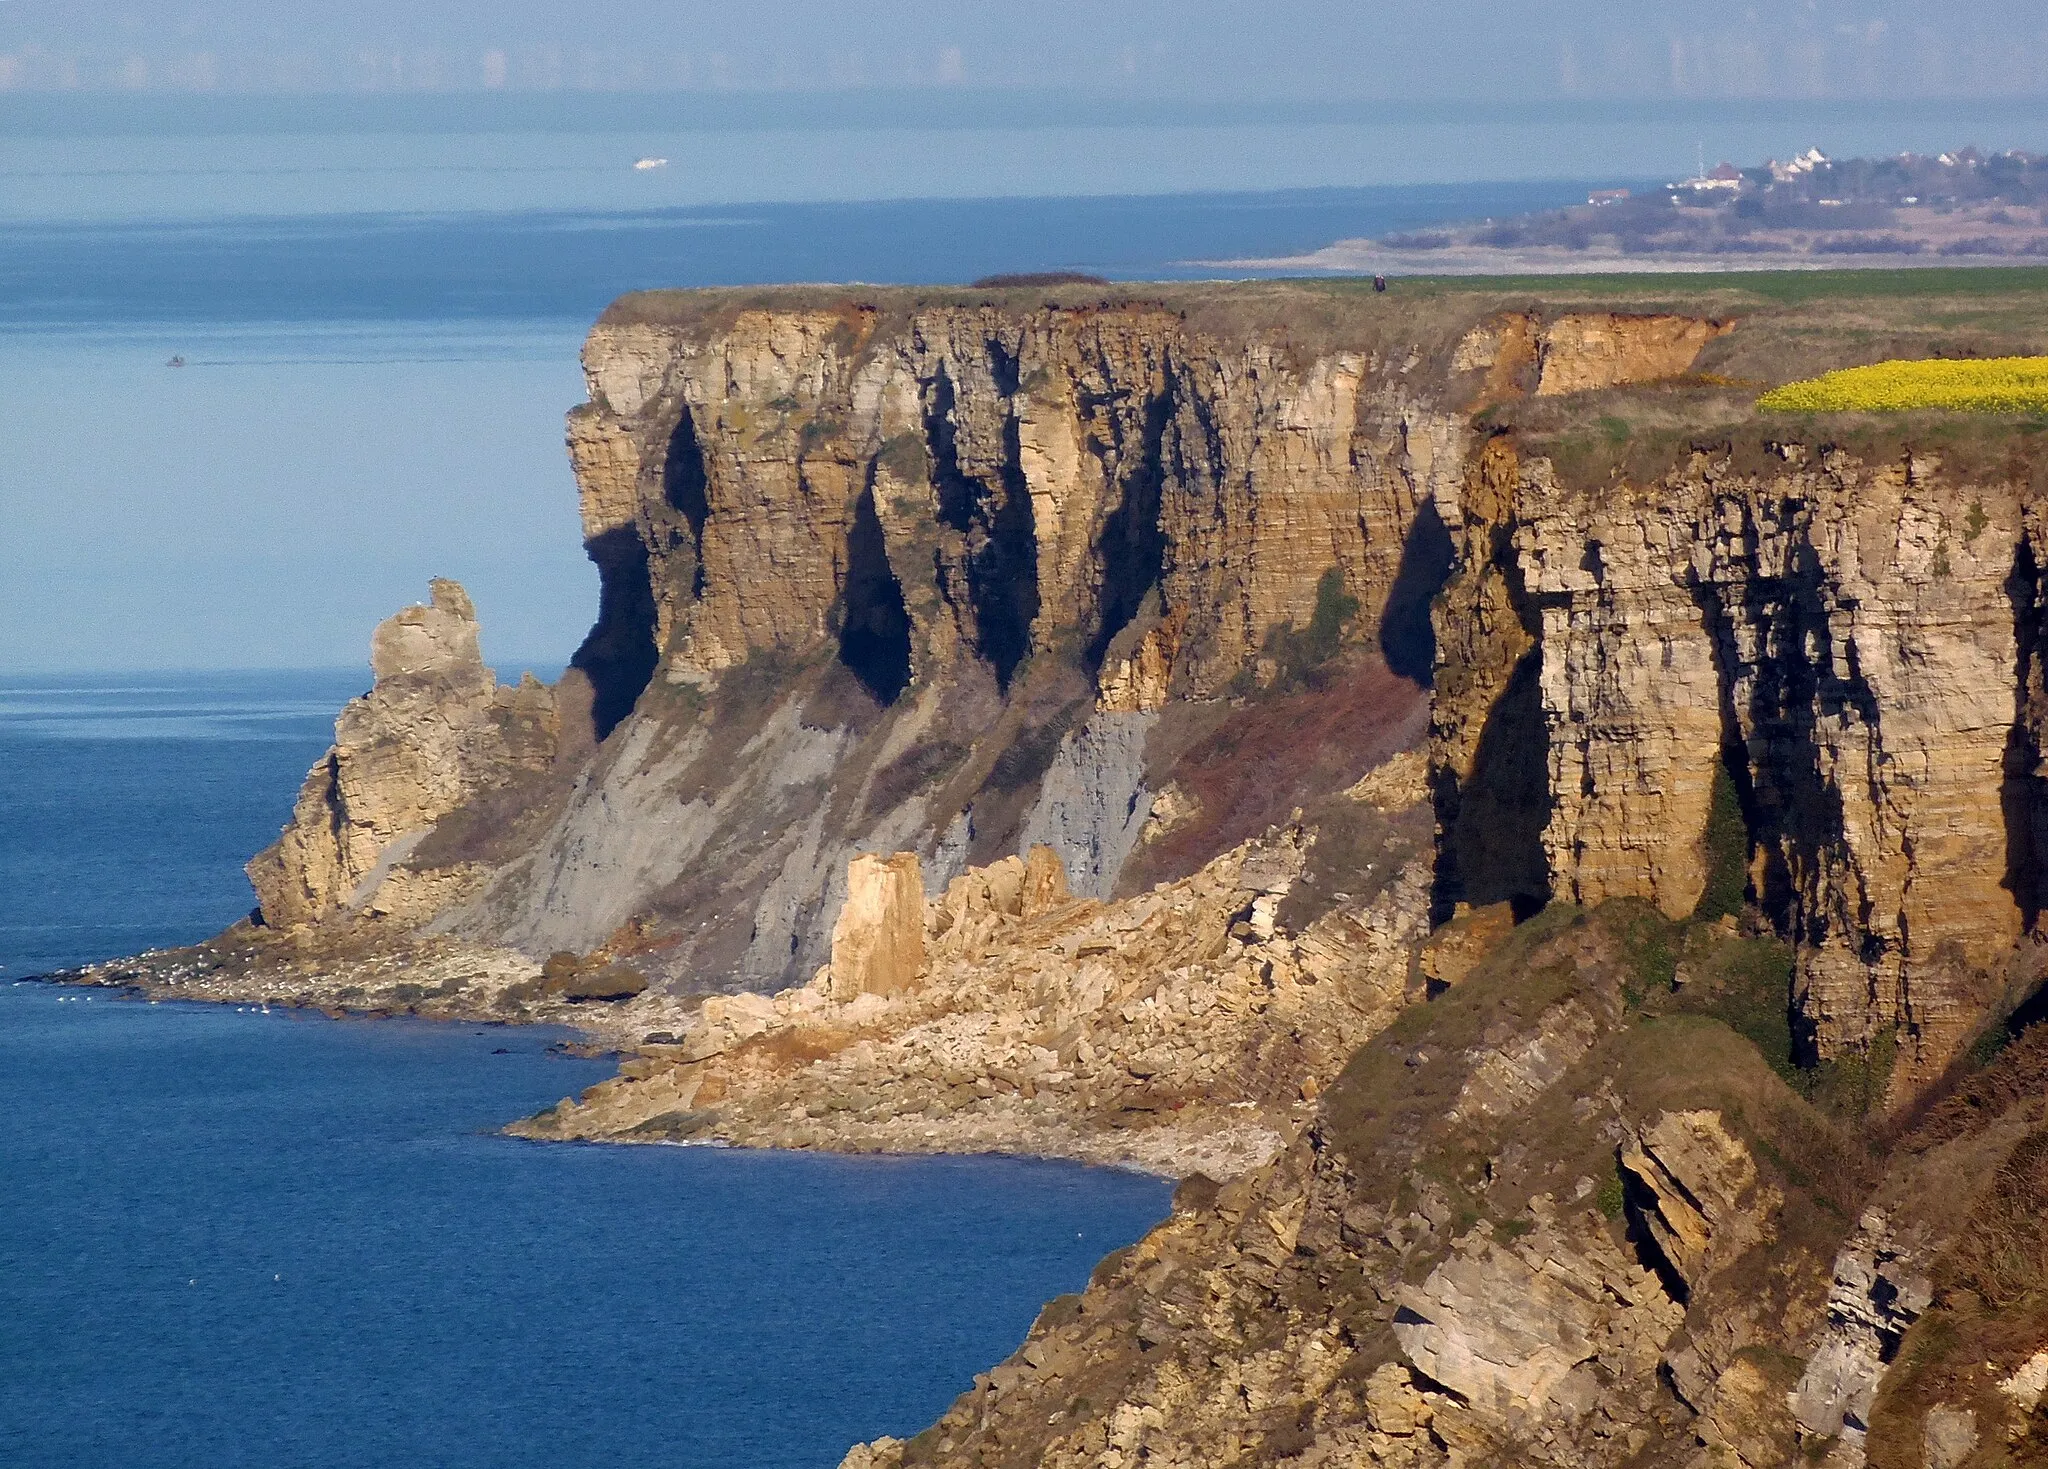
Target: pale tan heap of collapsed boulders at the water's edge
{"type": "Point", "coordinates": [1158, 1032]}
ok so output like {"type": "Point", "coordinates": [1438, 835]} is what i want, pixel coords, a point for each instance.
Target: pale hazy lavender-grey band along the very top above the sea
{"type": "Point", "coordinates": [1177, 48]}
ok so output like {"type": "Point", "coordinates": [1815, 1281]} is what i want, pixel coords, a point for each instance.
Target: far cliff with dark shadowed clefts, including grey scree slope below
{"type": "Point", "coordinates": [929, 577]}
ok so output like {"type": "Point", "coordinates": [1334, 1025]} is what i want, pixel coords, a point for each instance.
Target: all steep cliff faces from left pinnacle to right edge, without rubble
{"type": "Point", "coordinates": [964, 577]}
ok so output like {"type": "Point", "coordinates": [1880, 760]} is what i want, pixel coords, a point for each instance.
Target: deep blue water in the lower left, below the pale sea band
{"type": "Point", "coordinates": [275, 1241]}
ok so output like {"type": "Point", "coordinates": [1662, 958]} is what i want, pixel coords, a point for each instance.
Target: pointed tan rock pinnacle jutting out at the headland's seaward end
{"type": "Point", "coordinates": [435, 730]}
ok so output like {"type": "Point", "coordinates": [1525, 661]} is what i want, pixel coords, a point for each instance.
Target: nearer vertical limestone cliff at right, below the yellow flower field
{"type": "Point", "coordinates": [1834, 638]}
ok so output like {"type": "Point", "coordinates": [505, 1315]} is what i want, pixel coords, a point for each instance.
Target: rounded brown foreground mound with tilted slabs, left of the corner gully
{"type": "Point", "coordinates": [1345, 1308]}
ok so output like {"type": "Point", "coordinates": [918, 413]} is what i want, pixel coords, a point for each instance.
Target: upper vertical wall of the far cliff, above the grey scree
{"type": "Point", "coordinates": [1007, 482]}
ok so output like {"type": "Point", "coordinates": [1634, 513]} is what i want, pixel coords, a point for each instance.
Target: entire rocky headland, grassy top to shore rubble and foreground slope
{"type": "Point", "coordinates": [1549, 853]}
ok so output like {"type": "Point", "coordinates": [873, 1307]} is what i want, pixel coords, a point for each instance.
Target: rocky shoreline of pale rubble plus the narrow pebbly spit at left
{"type": "Point", "coordinates": [1183, 1032]}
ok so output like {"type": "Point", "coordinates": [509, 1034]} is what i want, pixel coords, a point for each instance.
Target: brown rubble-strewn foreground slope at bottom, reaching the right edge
{"type": "Point", "coordinates": [1531, 1224]}
